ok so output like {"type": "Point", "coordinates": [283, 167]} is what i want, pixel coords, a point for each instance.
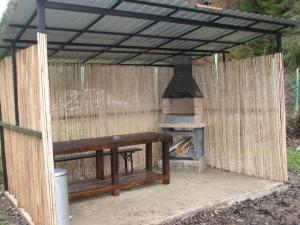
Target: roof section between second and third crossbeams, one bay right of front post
{"type": "Point", "coordinates": [106, 39]}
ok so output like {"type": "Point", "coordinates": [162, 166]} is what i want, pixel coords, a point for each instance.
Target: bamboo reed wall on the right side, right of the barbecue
{"type": "Point", "coordinates": [245, 116]}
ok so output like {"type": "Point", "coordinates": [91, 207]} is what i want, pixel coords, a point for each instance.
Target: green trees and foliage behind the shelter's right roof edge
{"type": "Point", "coordinates": [291, 37]}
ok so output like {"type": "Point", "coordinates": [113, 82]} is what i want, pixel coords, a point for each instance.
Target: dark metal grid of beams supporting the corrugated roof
{"type": "Point", "coordinates": [170, 17]}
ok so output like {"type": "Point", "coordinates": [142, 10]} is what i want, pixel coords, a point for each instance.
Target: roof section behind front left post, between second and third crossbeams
{"type": "Point", "coordinates": [60, 36]}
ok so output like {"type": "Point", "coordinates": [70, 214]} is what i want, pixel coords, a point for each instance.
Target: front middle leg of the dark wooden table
{"type": "Point", "coordinates": [115, 170]}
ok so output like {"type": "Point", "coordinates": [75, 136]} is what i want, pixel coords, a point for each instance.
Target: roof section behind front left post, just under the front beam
{"type": "Point", "coordinates": [67, 19]}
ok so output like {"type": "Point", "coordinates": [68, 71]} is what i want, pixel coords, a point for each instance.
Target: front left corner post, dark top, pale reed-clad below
{"type": "Point", "coordinates": [48, 178]}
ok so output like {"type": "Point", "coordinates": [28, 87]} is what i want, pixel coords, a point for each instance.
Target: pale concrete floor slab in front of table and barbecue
{"type": "Point", "coordinates": [157, 203]}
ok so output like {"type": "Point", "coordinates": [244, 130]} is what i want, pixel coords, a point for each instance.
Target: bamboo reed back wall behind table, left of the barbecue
{"type": "Point", "coordinates": [95, 100]}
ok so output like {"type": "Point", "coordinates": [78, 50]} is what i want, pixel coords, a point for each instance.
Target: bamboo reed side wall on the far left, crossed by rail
{"type": "Point", "coordinates": [26, 166]}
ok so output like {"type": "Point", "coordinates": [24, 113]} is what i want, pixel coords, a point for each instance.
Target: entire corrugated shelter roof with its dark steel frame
{"type": "Point", "coordinates": [145, 32]}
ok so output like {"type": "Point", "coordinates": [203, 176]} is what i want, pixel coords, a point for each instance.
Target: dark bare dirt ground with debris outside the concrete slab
{"type": "Point", "coordinates": [276, 209]}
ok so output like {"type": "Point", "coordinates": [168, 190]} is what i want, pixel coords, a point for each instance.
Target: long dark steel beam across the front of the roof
{"type": "Point", "coordinates": [121, 13]}
